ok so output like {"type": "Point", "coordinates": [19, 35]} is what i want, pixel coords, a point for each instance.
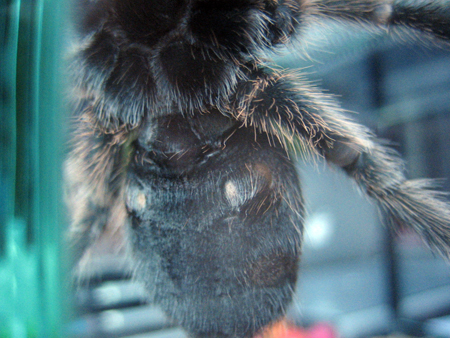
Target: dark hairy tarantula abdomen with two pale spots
{"type": "Point", "coordinates": [216, 223]}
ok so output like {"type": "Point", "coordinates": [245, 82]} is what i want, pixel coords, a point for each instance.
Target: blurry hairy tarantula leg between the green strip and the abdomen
{"type": "Point", "coordinates": [94, 175]}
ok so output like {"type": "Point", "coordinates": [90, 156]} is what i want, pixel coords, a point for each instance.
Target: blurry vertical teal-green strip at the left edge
{"type": "Point", "coordinates": [32, 280]}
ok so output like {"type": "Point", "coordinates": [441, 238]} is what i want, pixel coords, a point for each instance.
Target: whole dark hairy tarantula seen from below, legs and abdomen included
{"type": "Point", "coordinates": [183, 143]}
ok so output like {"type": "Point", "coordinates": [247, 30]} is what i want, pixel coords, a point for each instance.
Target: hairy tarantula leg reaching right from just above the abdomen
{"type": "Point", "coordinates": [288, 109]}
